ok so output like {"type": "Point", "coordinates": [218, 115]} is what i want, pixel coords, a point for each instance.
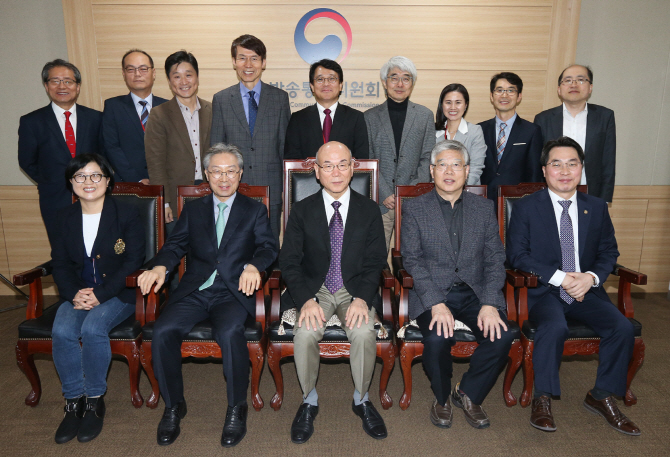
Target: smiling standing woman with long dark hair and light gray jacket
{"type": "Point", "coordinates": [451, 125]}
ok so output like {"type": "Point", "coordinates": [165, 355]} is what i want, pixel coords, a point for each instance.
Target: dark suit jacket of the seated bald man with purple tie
{"type": "Point", "coordinates": [305, 255]}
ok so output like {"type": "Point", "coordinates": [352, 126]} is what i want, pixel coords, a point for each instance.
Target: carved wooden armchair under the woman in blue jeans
{"type": "Point", "coordinates": [125, 338]}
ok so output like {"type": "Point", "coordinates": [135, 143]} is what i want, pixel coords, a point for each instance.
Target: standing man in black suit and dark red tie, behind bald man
{"type": "Point", "coordinates": [327, 120]}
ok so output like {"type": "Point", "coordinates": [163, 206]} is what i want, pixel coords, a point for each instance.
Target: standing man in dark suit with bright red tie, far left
{"type": "Point", "coordinates": [51, 136]}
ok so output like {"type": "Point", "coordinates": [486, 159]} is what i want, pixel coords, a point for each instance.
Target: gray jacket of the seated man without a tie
{"type": "Point", "coordinates": [428, 256]}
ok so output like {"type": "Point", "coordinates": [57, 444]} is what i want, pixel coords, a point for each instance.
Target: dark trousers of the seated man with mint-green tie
{"type": "Point", "coordinates": [228, 317]}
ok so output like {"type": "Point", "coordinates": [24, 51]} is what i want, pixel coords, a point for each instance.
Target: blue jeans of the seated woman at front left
{"type": "Point", "coordinates": [83, 368]}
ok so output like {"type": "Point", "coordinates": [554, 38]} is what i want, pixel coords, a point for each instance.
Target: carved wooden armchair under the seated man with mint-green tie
{"type": "Point", "coordinates": [200, 342]}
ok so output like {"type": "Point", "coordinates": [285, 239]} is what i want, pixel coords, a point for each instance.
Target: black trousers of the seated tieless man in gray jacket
{"type": "Point", "coordinates": [485, 363]}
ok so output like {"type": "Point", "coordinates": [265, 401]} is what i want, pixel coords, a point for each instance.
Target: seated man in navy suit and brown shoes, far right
{"type": "Point", "coordinates": [566, 238]}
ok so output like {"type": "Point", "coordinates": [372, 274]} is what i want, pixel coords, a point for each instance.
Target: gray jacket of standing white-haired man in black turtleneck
{"type": "Point", "coordinates": [411, 165]}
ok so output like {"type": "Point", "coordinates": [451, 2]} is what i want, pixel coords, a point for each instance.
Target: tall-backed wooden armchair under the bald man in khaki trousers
{"type": "Point", "coordinates": [300, 182]}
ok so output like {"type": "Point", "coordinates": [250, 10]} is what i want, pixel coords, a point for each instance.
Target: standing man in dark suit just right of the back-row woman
{"type": "Point", "coordinates": [513, 145]}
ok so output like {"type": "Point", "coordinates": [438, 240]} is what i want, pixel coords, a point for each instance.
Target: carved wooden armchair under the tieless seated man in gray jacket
{"type": "Point", "coordinates": [409, 336]}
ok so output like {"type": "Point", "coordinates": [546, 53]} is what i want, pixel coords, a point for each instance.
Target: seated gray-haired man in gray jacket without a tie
{"type": "Point", "coordinates": [461, 282]}
